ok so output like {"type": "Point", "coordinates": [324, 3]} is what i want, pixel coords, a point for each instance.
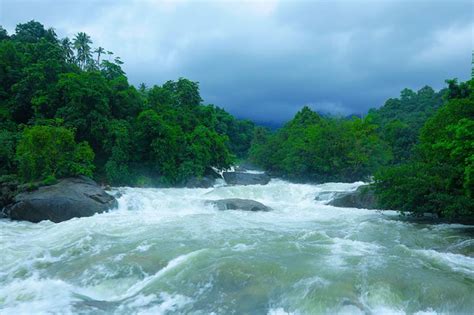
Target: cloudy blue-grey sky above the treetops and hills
{"type": "Point", "coordinates": [264, 60]}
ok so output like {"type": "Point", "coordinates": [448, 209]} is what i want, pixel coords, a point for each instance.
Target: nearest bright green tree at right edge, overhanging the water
{"type": "Point", "coordinates": [439, 178]}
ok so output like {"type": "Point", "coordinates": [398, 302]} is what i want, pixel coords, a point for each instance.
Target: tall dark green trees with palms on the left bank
{"type": "Point", "coordinates": [157, 135]}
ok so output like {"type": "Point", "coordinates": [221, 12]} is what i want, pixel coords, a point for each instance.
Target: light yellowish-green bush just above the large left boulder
{"type": "Point", "coordinates": [45, 151]}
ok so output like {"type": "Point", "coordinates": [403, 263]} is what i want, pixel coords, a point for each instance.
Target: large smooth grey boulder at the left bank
{"type": "Point", "coordinates": [69, 198]}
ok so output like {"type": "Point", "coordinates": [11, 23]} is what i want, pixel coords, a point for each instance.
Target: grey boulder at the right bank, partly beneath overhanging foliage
{"type": "Point", "coordinates": [363, 197]}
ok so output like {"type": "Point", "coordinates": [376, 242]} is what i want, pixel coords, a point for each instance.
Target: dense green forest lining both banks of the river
{"type": "Point", "coordinates": [67, 109]}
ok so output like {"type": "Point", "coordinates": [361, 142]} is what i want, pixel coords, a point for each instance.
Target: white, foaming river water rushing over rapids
{"type": "Point", "coordinates": [165, 251]}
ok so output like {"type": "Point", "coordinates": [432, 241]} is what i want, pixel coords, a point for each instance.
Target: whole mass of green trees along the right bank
{"type": "Point", "coordinates": [420, 147]}
